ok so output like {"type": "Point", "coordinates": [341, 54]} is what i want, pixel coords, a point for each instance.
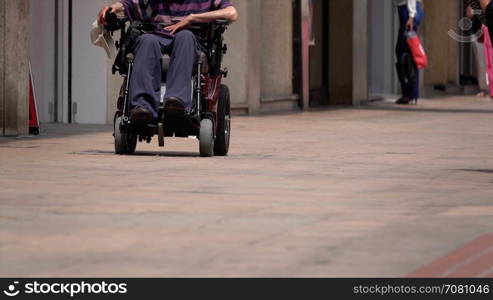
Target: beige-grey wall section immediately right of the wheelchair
{"type": "Point", "coordinates": [261, 61]}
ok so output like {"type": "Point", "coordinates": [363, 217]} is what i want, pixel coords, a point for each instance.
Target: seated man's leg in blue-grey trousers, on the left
{"type": "Point", "coordinates": [145, 83]}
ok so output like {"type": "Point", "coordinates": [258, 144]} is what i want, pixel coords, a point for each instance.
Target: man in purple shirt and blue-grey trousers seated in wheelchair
{"type": "Point", "coordinates": [175, 40]}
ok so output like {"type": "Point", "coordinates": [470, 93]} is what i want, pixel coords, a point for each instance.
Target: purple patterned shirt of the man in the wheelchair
{"type": "Point", "coordinates": [169, 11]}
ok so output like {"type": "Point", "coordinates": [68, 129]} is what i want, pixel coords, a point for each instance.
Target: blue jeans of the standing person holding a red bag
{"type": "Point", "coordinates": [408, 90]}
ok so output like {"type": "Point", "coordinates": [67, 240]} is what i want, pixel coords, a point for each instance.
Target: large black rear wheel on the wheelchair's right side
{"type": "Point", "coordinates": [221, 145]}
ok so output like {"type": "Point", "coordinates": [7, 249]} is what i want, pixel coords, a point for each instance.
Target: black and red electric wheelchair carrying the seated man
{"type": "Point", "coordinates": [210, 118]}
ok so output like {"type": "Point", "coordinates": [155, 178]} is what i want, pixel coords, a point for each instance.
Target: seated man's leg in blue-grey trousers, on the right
{"type": "Point", "coordinates": [183, 58]}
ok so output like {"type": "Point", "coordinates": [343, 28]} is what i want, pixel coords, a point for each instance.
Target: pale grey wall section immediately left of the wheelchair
{"type": "Point", "coordinates": [50, 62]}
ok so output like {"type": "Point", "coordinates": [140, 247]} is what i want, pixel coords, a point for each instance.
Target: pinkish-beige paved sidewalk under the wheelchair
{"type": "Point", "coordinates": [374, 191]}
